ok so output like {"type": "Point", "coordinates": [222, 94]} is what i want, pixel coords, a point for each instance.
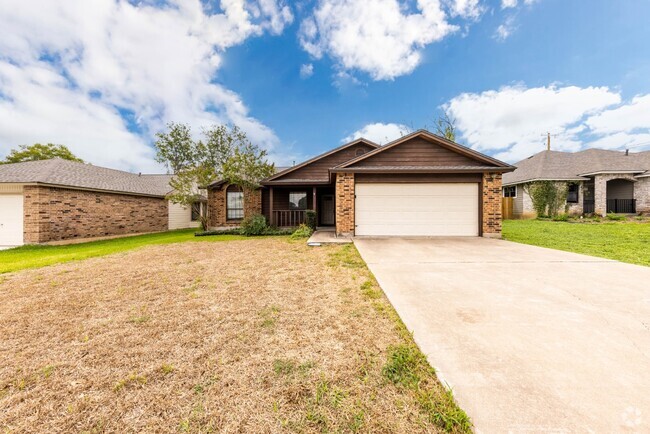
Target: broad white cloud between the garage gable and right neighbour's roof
{"type": "Point", "coordinates": [510, 122]}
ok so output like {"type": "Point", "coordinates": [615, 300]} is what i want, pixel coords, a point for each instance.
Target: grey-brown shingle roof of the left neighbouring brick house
{"type": "Point", "coordinates": [73, 174]}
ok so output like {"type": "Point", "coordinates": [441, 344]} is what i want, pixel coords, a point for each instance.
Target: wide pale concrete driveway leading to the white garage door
{"type": "Point", "coordinates": [530, 339]}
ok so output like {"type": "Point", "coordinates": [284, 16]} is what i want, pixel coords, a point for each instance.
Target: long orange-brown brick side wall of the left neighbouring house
{"type": "Point", "coordinates": [53, 214]}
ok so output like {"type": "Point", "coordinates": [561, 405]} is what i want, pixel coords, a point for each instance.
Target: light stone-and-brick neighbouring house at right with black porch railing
{"type": "Point", "coordinates": [599, 181]}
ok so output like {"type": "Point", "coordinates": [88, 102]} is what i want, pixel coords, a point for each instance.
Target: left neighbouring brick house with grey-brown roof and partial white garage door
{"type": "Point", "coordinates": [53, 200]}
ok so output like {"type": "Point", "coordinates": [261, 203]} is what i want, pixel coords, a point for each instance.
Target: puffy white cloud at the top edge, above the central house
{"type": "Point", "coordinates": [379, 37]}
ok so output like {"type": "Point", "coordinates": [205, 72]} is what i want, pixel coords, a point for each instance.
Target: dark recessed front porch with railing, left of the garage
{"type": "Point", "coordinates": [288, 205]}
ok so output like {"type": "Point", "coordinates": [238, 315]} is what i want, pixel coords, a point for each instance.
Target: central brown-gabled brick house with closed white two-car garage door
{"type": "Point", "coordinates": [420, 184]}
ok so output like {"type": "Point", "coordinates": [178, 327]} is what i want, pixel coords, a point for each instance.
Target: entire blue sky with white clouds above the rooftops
{"type": "Point", "coordinates": [301, 77]}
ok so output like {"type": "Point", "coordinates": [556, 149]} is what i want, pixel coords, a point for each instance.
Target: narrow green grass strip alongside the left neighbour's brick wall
{"type": "Point", "coordinates": [39, 256]}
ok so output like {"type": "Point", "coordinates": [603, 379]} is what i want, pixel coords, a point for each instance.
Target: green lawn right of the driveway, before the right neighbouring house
{"type": "Point", "coordinates": [623, 241]}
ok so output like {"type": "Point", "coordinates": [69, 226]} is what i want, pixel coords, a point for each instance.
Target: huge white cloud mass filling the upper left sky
{"type": "Point", "coordinates": [68, 82]}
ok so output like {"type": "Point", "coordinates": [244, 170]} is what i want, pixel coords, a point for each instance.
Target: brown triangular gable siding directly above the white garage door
{"type": "Point", "coordinates": [417, 152]}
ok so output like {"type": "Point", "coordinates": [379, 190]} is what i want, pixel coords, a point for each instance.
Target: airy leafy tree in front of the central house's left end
{"type": "Point", "coordinates": [224, 153]}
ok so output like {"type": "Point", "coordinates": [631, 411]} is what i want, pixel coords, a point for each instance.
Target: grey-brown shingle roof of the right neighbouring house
{"type": "Point", "coordinates": [555, 165]}
